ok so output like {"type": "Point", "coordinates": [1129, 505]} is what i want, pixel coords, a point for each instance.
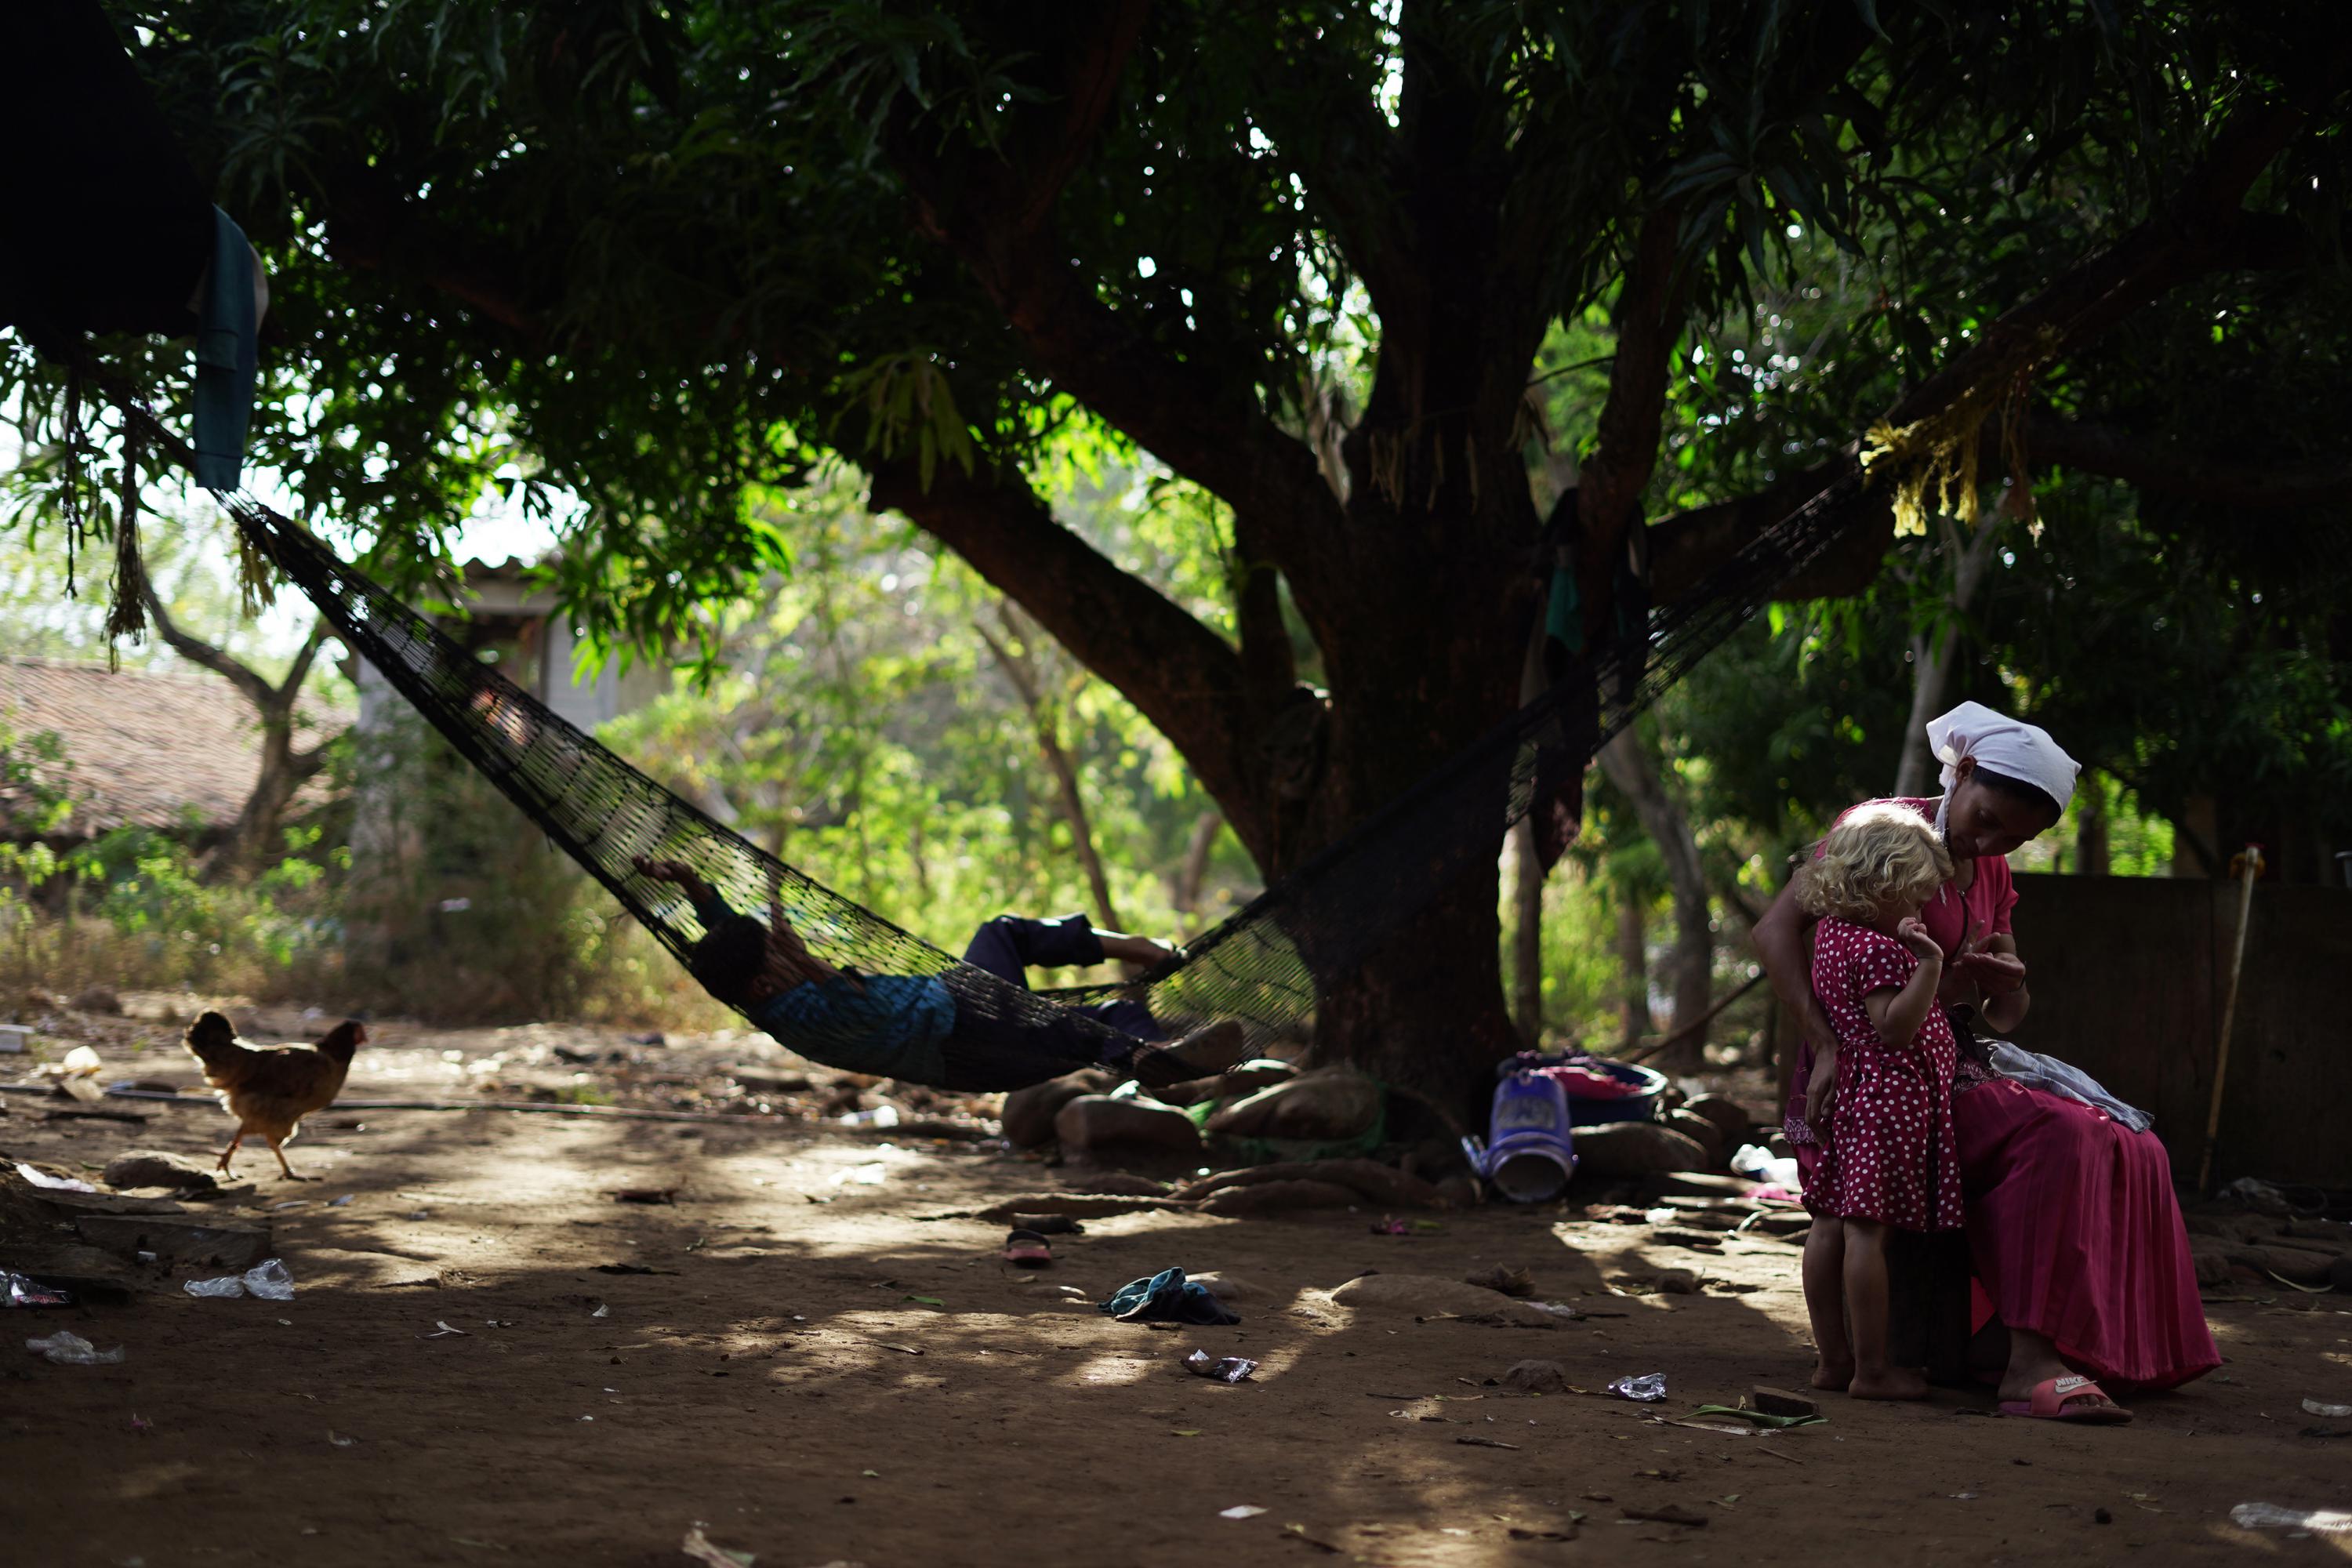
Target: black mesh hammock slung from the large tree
{"type": "Point", "coordinates": [1259, 967]}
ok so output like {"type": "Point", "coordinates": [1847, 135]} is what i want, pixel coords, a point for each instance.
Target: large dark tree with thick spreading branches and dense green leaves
{"type": "Point", "coordinates": [1309, 257]}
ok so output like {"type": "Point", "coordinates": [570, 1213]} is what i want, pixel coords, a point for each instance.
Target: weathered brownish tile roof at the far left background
{"type": "Point", "coordinates": [145, 749]}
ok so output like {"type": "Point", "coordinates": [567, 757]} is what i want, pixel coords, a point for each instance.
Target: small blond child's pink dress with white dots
{"type": "Point", "coordinates": [1890, 1153]}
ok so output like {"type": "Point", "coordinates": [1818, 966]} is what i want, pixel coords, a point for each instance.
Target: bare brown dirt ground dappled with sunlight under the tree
{"type": "Point", "coordinates": [815, 1365]}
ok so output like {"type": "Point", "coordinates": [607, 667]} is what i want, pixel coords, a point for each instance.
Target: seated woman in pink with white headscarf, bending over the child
{"type": "Point", "coordinates": [2071, 1217]}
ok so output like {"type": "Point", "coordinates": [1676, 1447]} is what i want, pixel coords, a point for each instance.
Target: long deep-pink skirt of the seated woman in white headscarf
{"type": "Point", "coordinates": [2078, 1235]}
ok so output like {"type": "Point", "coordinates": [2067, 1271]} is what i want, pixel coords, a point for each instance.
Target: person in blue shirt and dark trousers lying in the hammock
{"type": "Point", "coordinates": [968, 1028]}
